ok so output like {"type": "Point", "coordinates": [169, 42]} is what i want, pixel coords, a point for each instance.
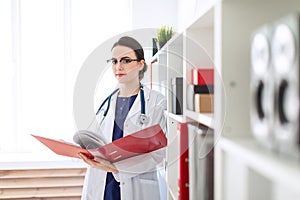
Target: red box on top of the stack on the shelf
{"type": "Point", "coordinates": [202, 76]}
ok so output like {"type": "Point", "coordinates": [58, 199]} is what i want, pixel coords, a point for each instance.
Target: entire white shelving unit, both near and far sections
{"type": "Point", "coordinates": [218, 36]}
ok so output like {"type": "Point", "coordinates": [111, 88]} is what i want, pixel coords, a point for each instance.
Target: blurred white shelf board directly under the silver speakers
{"type": "Point", "coordinates": [277, 168]}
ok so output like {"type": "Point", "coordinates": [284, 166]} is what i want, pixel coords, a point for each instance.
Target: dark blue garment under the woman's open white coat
{"type": "Point", "coordinates": [112, 187]}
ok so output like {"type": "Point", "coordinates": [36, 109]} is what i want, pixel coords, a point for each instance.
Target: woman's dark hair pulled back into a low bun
{"type": "Point", "coordinates": [136, 47]}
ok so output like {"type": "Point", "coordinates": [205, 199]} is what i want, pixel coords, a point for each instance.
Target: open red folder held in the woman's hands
{"type": "Point", "coordinates": [140, 142]}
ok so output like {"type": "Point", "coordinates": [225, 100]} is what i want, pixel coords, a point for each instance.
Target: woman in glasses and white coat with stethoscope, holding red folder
{"type": "Point", "coordinates": [143, 178]}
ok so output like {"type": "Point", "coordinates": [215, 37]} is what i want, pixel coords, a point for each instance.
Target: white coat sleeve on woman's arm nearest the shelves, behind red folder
{"type": "Point", "coordinates": [146, 162]}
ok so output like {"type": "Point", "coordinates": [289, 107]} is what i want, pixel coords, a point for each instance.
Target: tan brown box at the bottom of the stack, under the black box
{"type": "Point", "coordinates": [204, 103]}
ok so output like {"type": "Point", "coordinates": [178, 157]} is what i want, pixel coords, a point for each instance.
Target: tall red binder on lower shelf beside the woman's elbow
{"type": "Point", "coordinates": [183, 182]}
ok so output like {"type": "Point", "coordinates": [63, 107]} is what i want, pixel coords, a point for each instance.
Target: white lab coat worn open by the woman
{"type": "Point", "coordinates": [144, 180]}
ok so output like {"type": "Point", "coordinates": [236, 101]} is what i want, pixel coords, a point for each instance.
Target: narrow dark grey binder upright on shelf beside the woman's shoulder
{"type": "Point", "coordinates": [177, 95]}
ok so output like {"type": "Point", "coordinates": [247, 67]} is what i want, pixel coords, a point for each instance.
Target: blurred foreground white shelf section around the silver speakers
{"type": "Point", "coordinates": [243, 169]}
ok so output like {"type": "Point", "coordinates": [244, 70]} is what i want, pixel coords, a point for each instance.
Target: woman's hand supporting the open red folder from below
{"type": "Point", "coordinates": [99, 163]}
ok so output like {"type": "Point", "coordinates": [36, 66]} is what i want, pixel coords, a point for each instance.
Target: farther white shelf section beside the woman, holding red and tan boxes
{"type": "Point", "coordinates": [176, 59]}
